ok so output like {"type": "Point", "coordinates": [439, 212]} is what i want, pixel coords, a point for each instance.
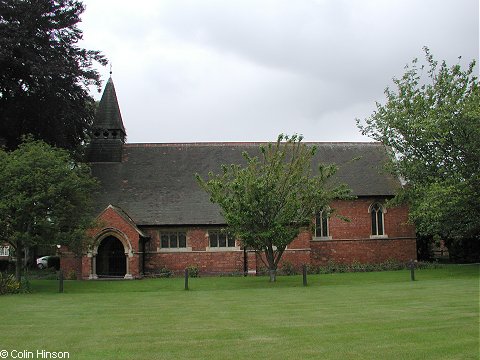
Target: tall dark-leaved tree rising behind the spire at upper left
{"type": "Point", "coordinates": [44, 73]}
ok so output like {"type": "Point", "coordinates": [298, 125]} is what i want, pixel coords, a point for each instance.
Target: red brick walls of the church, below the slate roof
{"type": "Point", "coordinates": [350, 241]}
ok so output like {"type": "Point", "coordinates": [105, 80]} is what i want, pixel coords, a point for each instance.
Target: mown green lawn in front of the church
{"type": "Point", "coordinates": [380, 315]}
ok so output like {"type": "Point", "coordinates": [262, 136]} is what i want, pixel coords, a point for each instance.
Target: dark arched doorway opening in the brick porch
{"type": "Point", "coordinates": [111, 258]}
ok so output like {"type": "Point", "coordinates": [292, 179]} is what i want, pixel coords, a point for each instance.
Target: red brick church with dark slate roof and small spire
{"type": "Point", "coordinates": [152, 215]}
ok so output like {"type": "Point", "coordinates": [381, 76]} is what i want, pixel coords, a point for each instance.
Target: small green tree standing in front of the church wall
{"type": "Point", "coordinates": [267, 201]}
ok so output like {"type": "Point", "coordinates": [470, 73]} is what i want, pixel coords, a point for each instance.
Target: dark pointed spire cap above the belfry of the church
{"type": "Point", "coordinates": [108, 119]}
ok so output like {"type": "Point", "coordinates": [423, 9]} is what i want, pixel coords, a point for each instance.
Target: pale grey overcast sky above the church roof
{"type": "Point", "coordinates": [247, 70]}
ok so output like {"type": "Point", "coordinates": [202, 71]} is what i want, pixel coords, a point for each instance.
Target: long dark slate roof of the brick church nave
{"type": "Point", "coordinates": [155, 183]}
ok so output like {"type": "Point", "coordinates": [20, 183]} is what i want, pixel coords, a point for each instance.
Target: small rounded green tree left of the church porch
{"type": "Point", "coordinates": [45, 198]}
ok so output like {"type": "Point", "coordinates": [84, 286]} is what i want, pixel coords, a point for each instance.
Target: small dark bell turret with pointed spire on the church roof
{"type": "Point", "coordinates": [108, 131]}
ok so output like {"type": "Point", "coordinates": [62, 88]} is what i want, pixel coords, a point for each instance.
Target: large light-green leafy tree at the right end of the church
{"type": "Point", "coordinates": [431, 121]}
